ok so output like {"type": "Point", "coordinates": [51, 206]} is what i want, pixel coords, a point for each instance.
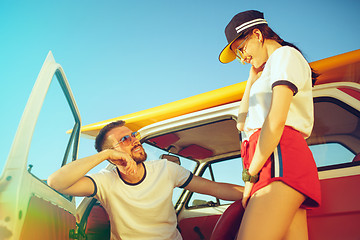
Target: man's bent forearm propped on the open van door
{"type": "Point", "coordinates": [72, 172]}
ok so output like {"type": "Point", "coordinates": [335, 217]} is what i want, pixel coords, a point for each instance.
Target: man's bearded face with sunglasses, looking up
{"type": "Point", "coordinates": [133, 147]}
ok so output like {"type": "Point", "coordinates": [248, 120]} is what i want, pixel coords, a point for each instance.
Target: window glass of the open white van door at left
{"type": "Point", "coordinates": [50, 140]}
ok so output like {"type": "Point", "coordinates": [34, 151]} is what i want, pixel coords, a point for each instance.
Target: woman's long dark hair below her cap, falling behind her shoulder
{"type": "Point", "coordinates": [268, 33]}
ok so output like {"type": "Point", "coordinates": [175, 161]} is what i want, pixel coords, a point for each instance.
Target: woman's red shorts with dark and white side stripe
{"type": "Point", "coordinates": [292, 163]}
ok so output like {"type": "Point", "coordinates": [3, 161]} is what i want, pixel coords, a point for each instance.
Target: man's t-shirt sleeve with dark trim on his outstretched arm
{"type": "Point", "coordinates": [180, 175]}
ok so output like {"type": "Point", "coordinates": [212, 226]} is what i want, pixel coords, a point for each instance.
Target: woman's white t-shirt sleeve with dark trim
{"type": "Point", "coordinates": [288, 67]}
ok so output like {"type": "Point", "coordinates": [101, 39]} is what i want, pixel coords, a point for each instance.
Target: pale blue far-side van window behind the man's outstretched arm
{"type": "Point", "coordinates": [228, 171]}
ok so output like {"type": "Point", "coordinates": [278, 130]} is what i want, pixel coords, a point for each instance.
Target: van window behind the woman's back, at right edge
{"type": "Point", "coordinates": [335, 138]}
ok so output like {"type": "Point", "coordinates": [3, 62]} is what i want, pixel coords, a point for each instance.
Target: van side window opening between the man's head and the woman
{"type": "Point", "coordinates": [212, 140]}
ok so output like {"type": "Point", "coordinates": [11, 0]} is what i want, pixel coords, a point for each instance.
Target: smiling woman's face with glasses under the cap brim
{"type": "Point", "coordinates": [251, 49]}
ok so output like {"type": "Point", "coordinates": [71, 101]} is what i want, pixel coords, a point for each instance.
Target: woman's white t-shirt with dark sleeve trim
{"type": "Point", "coordinates": [286, 66]}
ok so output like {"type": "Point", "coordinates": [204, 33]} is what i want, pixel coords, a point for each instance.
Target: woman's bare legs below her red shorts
{"type": "Point", "coordinates": [270, 213]}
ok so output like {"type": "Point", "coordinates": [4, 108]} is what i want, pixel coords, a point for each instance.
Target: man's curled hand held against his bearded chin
{"type": "Point", "coordinates": [123, 161]}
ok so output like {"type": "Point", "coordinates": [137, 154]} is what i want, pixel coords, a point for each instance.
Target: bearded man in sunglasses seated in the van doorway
{"type": "Point", "coordinates": [137, 195]}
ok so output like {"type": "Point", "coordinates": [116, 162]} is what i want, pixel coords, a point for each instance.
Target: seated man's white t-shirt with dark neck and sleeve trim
{"type": "Point", "coordinates": [143, 210]}
